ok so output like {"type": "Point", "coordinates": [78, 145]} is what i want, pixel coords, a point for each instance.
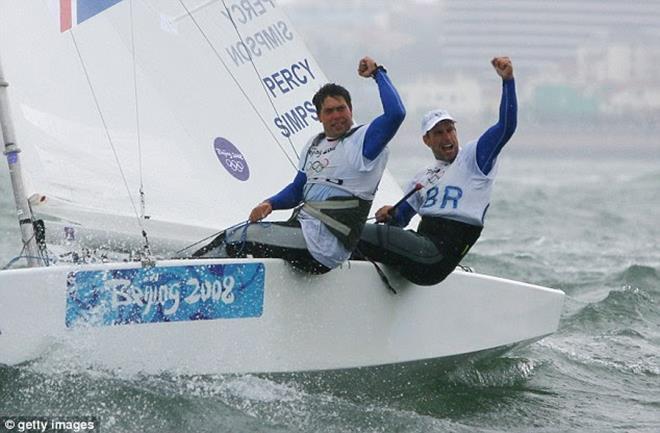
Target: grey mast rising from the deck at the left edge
{"type": "Point", "coordinates": [12, 150]}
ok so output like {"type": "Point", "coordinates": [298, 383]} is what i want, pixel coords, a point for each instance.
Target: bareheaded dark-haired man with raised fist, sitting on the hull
{"type": "Point", "coordinates": [338, 175]}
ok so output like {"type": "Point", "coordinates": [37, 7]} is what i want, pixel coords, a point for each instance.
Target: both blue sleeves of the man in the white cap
{"type": "Point", "coordinates": [489, 144]}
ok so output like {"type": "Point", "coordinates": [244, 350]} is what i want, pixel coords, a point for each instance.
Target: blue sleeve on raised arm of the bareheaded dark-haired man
{"type": "Point", "coordinates": [383, 128]}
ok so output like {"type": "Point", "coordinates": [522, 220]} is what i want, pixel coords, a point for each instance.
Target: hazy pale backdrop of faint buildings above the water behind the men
{"type": "Point", "coordinates": [586, 71]}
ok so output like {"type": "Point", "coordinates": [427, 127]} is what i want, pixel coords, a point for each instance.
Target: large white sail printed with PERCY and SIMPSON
{"type": "Point", "coordinates": [203, 105]}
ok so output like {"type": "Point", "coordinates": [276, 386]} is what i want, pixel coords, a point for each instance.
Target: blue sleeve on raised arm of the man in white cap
{"type": "Point", "coordinates": [492, 141]}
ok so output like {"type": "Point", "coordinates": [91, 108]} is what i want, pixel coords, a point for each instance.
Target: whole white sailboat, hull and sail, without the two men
{"type": "Point", "coordinates": [147, 126]}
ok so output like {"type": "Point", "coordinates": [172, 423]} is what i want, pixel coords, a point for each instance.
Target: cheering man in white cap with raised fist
{"type": "Point", "coordinates": [451, 195]}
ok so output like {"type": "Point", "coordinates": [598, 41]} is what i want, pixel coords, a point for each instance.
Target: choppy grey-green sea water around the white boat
{"type": "Point", "coordinates": [588, 227]}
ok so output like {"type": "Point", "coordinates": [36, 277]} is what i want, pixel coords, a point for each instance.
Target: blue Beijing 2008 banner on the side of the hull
{"type": "Point", "coordinates": [164, 294]}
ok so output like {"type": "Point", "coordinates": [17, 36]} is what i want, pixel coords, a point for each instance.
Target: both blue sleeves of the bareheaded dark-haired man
{"type": "Point", "coordinates": [380, 132]}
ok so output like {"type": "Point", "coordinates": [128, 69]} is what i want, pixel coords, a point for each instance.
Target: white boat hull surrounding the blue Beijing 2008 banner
{"type": "Point", "coordinates": [344, 319]}
